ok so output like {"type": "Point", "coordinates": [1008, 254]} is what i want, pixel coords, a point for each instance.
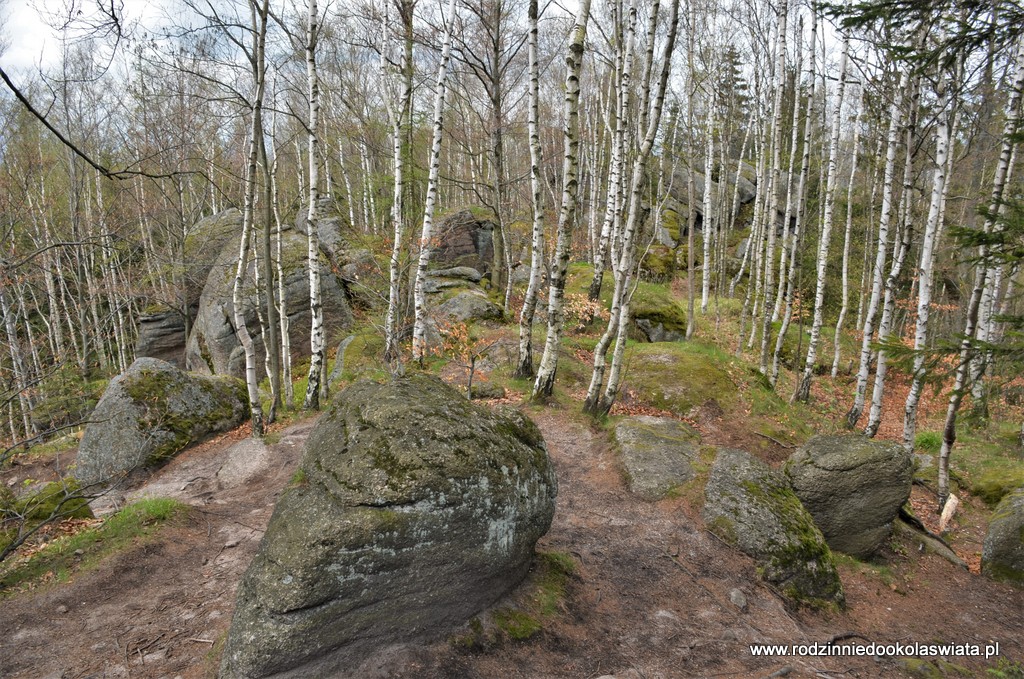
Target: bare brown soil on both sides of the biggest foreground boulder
{"type": "Point", "coordinates": [652, 598]}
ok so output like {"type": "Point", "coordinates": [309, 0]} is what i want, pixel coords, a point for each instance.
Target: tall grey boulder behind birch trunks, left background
{"type": "Point", "coordinates": [214, 346]}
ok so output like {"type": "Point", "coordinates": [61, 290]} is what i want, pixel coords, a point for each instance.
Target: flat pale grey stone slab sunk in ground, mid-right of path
{"type": "Point", "coordinates": [658, 454]}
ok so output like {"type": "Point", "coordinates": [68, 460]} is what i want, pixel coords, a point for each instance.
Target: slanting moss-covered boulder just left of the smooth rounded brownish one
{"type": "Point", "coordinates": [751, 506]}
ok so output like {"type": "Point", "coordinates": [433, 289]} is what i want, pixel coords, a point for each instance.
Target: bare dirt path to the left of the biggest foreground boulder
{"type": "Point", "coordinates": [158, 610]}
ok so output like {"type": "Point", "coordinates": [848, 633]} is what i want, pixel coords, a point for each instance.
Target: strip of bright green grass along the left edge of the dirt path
{"type": "Point", "coordinates": [60, 560]}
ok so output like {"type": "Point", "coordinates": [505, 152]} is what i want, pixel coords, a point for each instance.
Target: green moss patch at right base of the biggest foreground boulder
{"type": "Point", "coordinates": [539, 600]}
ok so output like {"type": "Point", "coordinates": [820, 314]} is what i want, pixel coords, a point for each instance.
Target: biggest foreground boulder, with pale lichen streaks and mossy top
{"type": "Point", "coordinates": [413, 510]}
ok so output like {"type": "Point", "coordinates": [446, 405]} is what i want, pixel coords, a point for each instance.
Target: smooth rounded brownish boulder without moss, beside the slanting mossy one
{"type": "Point", "coordinates": [854, 487]}
